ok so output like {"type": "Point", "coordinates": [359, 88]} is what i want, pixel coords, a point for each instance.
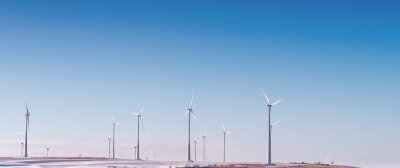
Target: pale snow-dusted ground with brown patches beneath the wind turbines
{"type": "Point", "coordinates": [120, 163]}
